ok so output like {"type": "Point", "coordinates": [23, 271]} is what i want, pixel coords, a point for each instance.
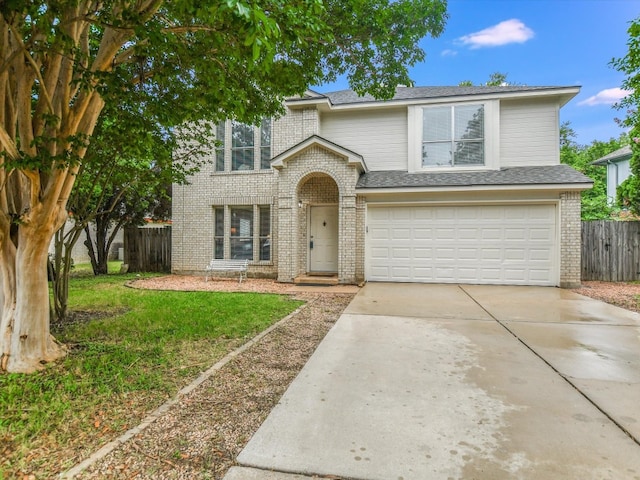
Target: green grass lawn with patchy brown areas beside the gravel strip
{"type": "Point", "coordinates": [129, 350]}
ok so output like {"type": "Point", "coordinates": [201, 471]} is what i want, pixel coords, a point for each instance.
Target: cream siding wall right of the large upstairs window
{"type": "Point", "coordinates": [529, 133]}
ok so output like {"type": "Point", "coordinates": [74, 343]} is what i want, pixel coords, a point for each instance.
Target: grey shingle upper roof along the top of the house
{"type": "Point", "coordinates": [343, 97]}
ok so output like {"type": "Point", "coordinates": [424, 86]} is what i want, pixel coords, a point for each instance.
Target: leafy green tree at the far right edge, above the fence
{"type": "Point", "coordinates": [630, 66]}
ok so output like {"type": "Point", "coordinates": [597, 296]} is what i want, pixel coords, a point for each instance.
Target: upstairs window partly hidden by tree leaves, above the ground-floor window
{"type": "Point", "coordinates": [243, 147]}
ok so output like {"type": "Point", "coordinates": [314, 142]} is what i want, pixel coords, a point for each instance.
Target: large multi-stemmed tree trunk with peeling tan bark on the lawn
{"type": "Point", "coordinates": [49, 107]}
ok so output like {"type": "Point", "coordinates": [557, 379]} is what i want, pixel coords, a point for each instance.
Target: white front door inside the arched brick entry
{"type": "Point", "coordinates": [323, 239]}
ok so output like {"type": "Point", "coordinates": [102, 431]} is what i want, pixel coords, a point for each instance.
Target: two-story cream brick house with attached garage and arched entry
{"type": "Point", "coordinates": [439, 184]}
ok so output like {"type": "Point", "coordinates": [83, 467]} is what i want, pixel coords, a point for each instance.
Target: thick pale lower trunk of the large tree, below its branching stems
{"type": "Point", "coordinates": [26, 339]}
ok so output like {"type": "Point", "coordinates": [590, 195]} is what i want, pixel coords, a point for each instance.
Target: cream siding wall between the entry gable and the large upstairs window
{"type": "Point", "coordinates": [380, 136]}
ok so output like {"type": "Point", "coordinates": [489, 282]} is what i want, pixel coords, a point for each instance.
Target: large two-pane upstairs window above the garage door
{"type": "Point", "coordinates": [453, 136]}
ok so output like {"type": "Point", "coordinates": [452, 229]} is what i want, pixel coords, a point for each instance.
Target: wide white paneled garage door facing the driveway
{"type": "Point", "coordinates": [489, 244]}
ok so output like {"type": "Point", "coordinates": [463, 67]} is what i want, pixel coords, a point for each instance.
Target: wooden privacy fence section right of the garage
{"type": "Point", "coordinates": [610, 251]}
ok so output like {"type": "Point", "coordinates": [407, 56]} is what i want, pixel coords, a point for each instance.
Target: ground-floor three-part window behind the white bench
{"type": "Point", "coordinates": [242, 232]}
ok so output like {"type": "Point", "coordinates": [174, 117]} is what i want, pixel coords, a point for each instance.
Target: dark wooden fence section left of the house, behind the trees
{"type": "Point", "coordinates": [148, 249]}
